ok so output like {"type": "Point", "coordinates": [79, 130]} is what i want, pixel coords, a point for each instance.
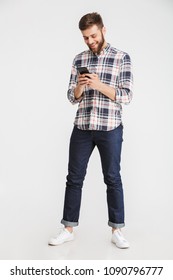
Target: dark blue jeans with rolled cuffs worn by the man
{"type": "Point", "coordinates": [82, 143]}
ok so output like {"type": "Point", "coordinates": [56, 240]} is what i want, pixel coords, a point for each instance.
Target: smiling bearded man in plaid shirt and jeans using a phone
{"type": "Point", "coordinates": [100, 95]}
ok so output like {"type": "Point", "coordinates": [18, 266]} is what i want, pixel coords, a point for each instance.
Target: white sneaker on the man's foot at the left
{"type": "Point", "coordinates": [63, 236]}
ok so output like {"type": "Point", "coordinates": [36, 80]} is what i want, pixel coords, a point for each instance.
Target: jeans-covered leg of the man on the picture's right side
{"type": "Point", "coordinates": [109, 145]}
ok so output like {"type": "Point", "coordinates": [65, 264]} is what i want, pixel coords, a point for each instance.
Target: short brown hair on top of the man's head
{"type": "Point", "coordinates": [90, 19]}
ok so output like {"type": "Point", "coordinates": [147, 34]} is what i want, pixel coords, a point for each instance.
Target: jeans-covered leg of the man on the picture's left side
{"type": "Point", "coordinates": [81, 147]}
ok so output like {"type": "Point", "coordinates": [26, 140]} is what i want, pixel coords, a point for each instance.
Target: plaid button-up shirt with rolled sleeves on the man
{"type": "Point", "coordinates": [95, 110]}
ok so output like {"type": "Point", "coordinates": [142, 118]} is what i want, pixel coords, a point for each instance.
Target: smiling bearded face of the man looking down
{"type": "Point", "coordinates": [94, 38]}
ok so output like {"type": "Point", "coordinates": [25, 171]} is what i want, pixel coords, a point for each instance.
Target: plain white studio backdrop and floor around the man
{"type": "Point", "coordinates": [38, 41]}
